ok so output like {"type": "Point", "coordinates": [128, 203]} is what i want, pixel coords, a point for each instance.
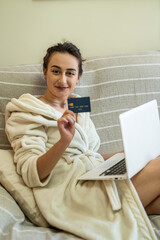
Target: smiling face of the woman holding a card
{"type": "Point", "coordinates": [61, 75]}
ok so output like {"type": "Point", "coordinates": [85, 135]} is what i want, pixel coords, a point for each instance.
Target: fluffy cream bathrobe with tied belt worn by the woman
{"type": "Point", "coordinates": [92, 210]}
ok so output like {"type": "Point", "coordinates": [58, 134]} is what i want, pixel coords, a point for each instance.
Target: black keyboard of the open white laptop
{"type": "Point", "coordinates": [117, 169]}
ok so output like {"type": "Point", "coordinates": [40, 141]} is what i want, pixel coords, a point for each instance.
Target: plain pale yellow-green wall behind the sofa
{"type": "Point", "coordinates": [98, 27]}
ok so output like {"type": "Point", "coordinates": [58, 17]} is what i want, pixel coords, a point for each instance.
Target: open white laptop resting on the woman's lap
{"type": "Point", "coordinates": [140, 128]}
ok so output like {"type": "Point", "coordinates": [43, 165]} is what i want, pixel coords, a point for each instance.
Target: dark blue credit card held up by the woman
{"type": "Point", "coordinates": [79, 104]}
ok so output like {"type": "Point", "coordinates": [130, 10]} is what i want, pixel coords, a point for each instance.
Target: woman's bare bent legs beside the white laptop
{"type": "Point", "coordinates": [147, 184]}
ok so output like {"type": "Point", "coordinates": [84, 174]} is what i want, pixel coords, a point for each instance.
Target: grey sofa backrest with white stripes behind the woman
{"type": "Point", "coordinates": [114, 83]}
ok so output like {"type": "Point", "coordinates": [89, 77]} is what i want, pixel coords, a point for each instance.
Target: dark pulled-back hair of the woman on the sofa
{"type": "Point", "coordinates": [65, 47]}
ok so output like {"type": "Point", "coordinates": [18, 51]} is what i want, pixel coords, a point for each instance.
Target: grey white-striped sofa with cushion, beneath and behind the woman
{"type": "Point", "coordinates": [115, 84]}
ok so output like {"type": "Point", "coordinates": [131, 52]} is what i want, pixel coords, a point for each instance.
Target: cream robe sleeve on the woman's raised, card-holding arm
{"type": "Point", "coordinates": [28, 138]}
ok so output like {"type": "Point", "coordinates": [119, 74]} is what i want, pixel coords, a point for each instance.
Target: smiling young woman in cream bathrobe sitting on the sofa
{"type": "Point", "coordinates": [53, 147]}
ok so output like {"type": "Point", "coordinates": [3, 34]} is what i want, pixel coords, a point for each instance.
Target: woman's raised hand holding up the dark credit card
{"type": "Point", "coordinates": [66, 126]}
